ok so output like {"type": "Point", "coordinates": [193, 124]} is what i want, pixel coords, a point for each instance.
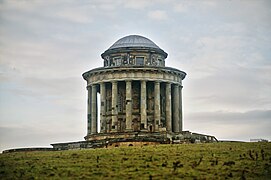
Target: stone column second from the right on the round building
{"type": "Point", "coordinates": [176, 108]}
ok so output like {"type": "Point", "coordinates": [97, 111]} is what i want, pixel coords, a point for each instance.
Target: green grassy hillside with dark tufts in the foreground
{"type": "Point", "coordinates": [189, 161]}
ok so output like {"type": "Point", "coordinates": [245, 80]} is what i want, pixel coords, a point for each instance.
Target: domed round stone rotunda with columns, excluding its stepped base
{"type": "Point", "coordinates": [136, 90]}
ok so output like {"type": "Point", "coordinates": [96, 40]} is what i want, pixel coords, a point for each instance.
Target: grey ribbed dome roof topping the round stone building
{"type": "Point", "coordinates": [134, 41]}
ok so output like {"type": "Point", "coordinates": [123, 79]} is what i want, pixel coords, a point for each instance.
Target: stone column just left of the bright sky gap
{"type": "Point", "coordinates": [94, 109]}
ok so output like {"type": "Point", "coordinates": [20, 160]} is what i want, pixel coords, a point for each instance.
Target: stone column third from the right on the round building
{"type": "Point", "coordinates": [168, 108]}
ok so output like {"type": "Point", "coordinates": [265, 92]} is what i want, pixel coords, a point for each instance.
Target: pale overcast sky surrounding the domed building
{"type": "Point", "coordinates": [45, 46]}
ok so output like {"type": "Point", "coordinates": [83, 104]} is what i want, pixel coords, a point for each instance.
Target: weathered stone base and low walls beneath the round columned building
{"type": "Point", "coordinates": [107, 140]}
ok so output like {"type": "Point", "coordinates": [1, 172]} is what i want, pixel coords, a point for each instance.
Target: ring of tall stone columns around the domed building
{"type": "Point", "coordinates": [173, 107]}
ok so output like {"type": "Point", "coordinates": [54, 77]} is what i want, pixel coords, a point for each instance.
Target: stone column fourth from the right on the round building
{"type": "Point", "coordinates": [157, 112]}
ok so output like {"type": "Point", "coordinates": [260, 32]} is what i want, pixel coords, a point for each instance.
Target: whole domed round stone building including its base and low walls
{"type": "Point", "coordinates": [140, 100]}
